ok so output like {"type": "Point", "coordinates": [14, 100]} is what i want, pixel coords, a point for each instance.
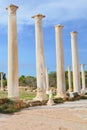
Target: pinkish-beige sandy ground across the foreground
{"type": "Point", "coordinates": [67, 116]}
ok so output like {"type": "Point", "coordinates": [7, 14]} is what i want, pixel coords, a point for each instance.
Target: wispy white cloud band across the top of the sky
{"type": "Point", "coordinates": [56, 11]}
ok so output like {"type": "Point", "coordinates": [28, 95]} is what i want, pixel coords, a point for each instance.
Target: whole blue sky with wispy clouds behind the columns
{"type": "Point", "coordinates": [70, 13]}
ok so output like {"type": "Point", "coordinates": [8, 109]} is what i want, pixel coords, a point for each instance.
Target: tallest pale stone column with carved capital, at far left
{"type": "Point", "coordinates": [13, 91]}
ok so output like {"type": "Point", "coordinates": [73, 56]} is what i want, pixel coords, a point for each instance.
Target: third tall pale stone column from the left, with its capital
{"type": "Point", "coordinates": [61, 90]}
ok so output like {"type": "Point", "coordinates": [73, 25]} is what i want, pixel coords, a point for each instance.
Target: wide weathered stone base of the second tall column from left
{"type": "Point", "coordinates": [41, 95]}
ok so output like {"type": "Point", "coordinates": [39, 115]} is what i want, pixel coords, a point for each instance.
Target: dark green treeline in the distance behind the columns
{"type": "Point", "coordinates": [31, 81]}
